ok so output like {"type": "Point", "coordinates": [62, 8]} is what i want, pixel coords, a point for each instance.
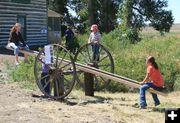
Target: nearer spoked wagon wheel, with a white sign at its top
{"type": "Point", "coordinates": [57, 79]}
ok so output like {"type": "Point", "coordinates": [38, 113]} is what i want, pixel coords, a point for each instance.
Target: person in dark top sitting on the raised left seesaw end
{"type": "Point", "coordinates": [16, 42]}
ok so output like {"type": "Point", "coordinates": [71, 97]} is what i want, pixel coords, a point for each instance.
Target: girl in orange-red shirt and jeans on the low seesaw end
{"type": "Point", "coordinates": [153, 80]}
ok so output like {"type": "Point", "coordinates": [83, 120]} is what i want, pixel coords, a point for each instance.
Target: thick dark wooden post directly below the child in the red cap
{"type": "Point", "coordinates": [89, 84]}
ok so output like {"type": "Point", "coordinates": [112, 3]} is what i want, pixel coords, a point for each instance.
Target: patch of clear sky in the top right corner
{"type": "Point", "coordinates": [174, 5]}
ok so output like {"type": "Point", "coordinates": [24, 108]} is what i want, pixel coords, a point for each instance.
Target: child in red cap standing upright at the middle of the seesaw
{"type": "Point", "coordinates": [95, 38]}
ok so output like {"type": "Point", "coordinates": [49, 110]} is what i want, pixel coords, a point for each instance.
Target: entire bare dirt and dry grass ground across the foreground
{"type": "Point", "coordinates": [18, 105]}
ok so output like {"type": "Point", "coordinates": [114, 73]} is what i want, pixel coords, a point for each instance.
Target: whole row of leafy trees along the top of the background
{"type": "Point", "coordinates": [127, 15]}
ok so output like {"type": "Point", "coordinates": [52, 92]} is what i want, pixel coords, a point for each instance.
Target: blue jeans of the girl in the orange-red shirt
{"type": "Point", "coordinates": [143, 89]}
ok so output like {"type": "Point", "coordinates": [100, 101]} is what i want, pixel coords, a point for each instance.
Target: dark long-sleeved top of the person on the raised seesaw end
{"type": "Point", "coordinates": [16, 38]}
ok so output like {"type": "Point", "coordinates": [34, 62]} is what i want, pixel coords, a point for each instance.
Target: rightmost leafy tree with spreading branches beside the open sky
{"type": "Point", "coordinates": [135, 13]}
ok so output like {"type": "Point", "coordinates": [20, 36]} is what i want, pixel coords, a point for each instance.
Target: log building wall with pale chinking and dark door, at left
{"type": "Point", "coordinates": [32, 14]}
